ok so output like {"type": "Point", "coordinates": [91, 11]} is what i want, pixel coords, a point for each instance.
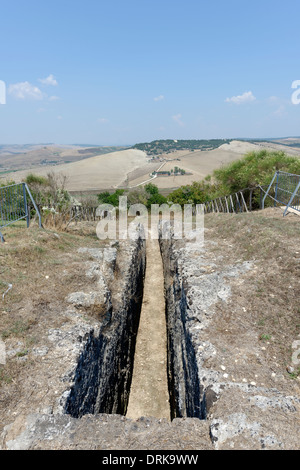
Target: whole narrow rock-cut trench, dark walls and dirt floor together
{"type": "Point", "coordinates": [104, 374]}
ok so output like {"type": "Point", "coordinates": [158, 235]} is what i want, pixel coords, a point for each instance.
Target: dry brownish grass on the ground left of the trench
{"type": "Point", "coordinates": [43, 267]}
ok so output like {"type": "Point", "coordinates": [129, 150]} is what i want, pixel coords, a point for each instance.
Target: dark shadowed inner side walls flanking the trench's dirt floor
{"type": "Point", "coordinates": [105, 368]}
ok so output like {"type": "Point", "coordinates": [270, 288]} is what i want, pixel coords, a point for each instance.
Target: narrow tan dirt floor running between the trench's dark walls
{"type": "Point", "coordinates": [149, 390]}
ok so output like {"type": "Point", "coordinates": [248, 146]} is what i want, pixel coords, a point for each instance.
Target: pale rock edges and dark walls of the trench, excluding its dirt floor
{"type": "Point", "coordinates": [91, 410]}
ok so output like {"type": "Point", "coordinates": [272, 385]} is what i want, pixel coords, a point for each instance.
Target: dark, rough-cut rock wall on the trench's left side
{"type": "Point", "coordinates": [103, 375]}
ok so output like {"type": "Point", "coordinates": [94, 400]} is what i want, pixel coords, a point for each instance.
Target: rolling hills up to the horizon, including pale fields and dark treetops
{"type": "Point", "coordinates": [93, 169]}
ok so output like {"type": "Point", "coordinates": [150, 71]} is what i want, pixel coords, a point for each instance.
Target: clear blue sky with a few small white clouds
{"type": "Point", "coordinates": [120, 72]}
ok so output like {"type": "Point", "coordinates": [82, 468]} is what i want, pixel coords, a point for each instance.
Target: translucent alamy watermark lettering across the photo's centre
{"type": "Point", "coordinates": [161, 221]}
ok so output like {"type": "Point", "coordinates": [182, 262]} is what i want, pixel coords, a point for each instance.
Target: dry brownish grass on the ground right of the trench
{"type": "Point", "coordinates": [268, 302]}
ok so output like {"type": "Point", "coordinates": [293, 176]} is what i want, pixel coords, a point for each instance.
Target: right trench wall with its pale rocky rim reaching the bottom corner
{"type": "Point", "coordinates": [241, 413]}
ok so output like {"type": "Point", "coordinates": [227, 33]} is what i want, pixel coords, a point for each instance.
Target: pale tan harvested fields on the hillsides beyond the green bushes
{"type": "Point", "coordinates": [132, 167]}
